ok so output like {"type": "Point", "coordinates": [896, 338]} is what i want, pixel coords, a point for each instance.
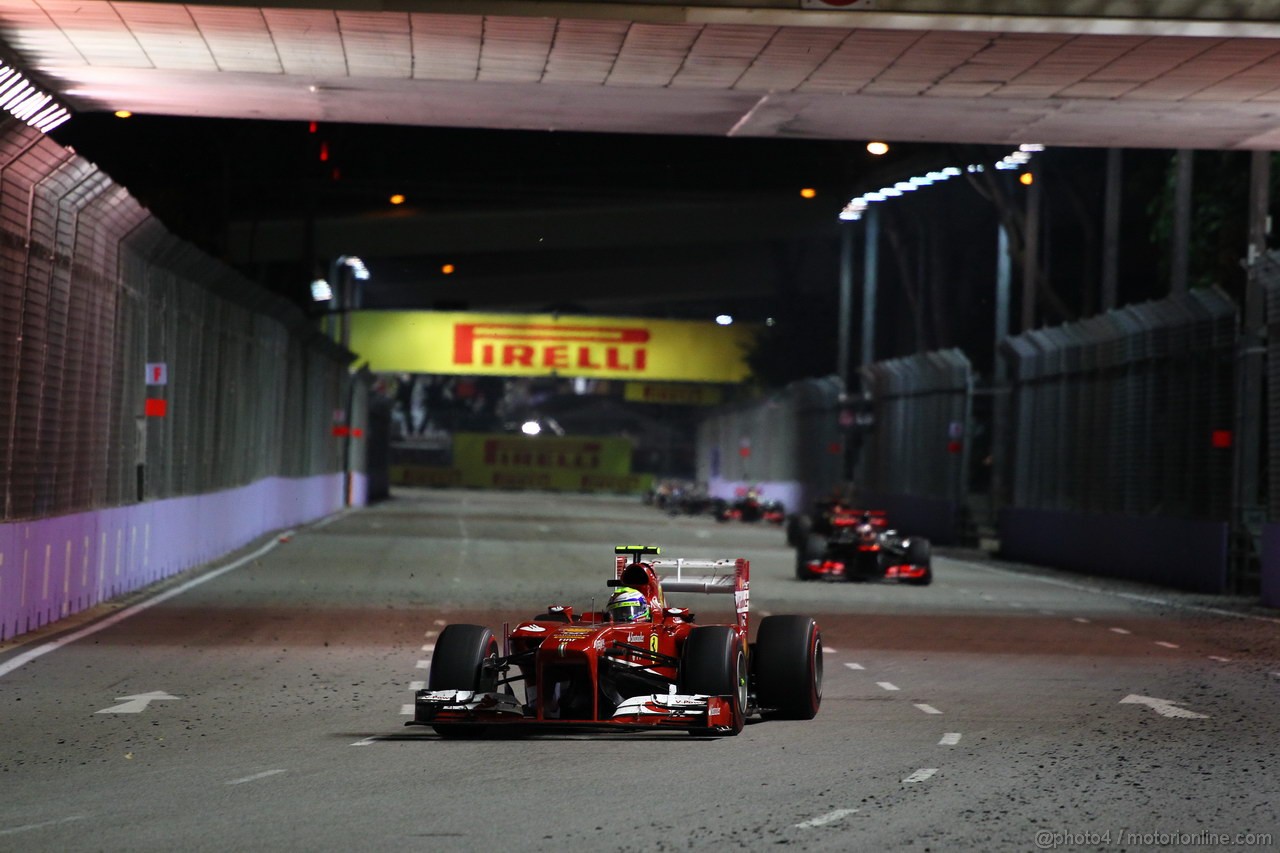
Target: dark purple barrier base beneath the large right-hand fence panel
{"type": "Point", "coordinates": [1169, 553]}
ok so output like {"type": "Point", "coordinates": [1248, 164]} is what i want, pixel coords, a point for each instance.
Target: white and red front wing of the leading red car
{"type": "Point", "coordinates": [655, 711]}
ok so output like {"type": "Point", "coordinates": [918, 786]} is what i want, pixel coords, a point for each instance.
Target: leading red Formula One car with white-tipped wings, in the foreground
{"type": "Point", "coordinates": [641, 664]}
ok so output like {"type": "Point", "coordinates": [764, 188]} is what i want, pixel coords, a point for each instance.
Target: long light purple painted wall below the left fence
{"type": "Point", "coordinates": [54, 568]}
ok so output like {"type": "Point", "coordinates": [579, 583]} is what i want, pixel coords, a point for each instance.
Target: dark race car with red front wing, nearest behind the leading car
{"type": "Point", "coordinates": [857, 545]}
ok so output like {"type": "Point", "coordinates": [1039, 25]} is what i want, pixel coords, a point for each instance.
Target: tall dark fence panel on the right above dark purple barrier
{"type": "Point", "coordinates": [1130, 413]}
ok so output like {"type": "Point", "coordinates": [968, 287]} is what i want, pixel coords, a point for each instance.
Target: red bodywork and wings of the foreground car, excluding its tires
{"type": "Point", "coordinates": [583, 670]}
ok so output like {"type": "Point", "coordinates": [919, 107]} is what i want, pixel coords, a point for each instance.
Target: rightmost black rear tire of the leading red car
{"type": "Point", "coordinates": [789, 668]}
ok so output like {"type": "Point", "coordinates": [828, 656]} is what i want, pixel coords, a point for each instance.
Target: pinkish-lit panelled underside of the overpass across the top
{"type": "Point", "coordinates": [765, 70]}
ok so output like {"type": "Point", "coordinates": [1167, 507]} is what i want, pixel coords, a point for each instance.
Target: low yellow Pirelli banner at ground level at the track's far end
{"type": "Point", "coordinates": [508, 462]}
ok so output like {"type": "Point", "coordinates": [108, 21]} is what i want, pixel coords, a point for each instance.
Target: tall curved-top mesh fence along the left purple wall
{"type": "Point", "coordinates": [99, 304]}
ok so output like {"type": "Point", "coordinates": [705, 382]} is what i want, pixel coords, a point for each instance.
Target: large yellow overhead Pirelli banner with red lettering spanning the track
{"type": "Point", "coordinates": [541, 345]}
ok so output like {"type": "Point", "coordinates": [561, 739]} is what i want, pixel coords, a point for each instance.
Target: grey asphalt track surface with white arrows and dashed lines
{"type": "Point", "coordinates": [260, 705]}
